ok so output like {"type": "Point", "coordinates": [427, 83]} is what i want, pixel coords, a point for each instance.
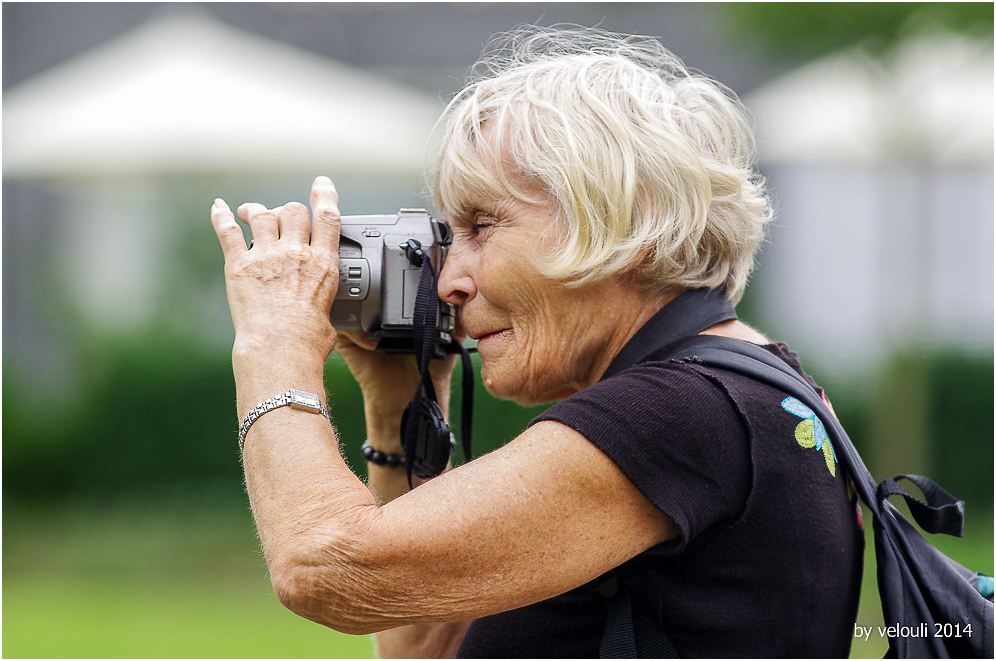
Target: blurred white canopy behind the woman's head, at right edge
{"type": "Point", "coordinates": [931, 101]}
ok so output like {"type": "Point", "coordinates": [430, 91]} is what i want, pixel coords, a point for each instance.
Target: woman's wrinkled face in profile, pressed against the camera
{"type": "Point", "coordinates": [539, 340]}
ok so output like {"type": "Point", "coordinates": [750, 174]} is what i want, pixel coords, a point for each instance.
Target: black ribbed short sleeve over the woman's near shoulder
{"type": "Point", "coordinates": [675, 433]}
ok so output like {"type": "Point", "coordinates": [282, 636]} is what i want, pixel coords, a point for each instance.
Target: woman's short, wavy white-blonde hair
{"type": "Point", "coordinates": [651, 166]}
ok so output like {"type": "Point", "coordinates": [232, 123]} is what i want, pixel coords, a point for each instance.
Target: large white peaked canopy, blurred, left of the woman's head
{"type": "Point", "coordinates": [189, 94]}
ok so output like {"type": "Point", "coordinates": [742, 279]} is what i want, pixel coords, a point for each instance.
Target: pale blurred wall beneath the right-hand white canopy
{"type": "Point", "coordinates": [865, 260]}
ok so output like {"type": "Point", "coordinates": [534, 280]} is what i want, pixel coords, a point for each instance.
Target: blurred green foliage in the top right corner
{"type": "Point", "coordinates": [793, 32]}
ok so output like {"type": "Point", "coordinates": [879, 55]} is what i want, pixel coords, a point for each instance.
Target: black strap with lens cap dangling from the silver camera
{"type": "Point", "coordinates": [425, 435]}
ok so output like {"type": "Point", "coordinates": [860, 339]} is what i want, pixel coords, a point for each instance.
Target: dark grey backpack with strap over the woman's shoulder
{"type": "Point", "coordinates": [933, 607]}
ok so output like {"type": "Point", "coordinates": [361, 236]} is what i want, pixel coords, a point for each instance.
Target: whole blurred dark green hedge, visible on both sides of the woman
{"type": "Point", "coordinates": [158, 416]}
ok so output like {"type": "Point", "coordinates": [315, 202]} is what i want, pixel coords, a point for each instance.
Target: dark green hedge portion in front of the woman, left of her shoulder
{"type": "Point", "coordinates": [158, 416]}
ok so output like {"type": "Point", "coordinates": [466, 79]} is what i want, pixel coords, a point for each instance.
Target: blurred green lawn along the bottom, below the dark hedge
{"type": "Point", "coordinates": [182, 580]}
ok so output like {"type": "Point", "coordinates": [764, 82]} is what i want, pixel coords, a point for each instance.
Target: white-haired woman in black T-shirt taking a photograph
{"type": "Point", "coordinates": [594, 188]}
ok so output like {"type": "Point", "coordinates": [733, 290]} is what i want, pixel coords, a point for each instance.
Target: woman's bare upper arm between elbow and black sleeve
{"type": "Point", "coordinates": [543, 515]}
